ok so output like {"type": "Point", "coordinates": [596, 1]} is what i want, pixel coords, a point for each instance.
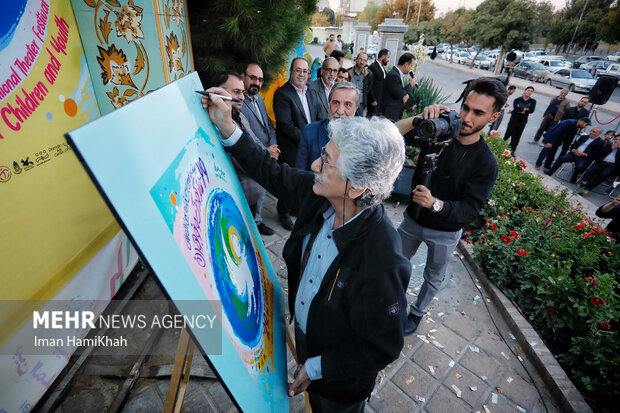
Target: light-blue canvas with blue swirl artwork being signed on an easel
{"type": "Point", "coordinates": [161, 167]}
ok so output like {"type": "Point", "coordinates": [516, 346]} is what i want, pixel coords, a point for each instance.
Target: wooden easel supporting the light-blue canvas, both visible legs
{"type": "Point", "coordinates": [183, 364]}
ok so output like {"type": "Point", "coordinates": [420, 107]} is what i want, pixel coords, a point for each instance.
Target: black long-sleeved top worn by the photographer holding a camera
{"type": "Point", "coordinates": [463, 180]}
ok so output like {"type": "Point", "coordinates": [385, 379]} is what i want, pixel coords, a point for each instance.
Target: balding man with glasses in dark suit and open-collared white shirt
{"type": "Point", "coordinates": [293, 107]}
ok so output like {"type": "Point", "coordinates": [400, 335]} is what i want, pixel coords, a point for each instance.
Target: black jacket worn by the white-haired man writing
{"type": "Point", "coordinates": [355, 321]}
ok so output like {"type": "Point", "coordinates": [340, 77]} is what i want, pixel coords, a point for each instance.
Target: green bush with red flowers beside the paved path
{"type": "Point", "coordinates": [560, 268]}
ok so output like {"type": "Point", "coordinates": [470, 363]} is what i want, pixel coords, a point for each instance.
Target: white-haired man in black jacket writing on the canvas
{"type": "Point", "coordinates": [346, 273]}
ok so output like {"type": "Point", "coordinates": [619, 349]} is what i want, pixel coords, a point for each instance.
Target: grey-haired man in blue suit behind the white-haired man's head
{"type": "Point", "coordinates": [343, 99]}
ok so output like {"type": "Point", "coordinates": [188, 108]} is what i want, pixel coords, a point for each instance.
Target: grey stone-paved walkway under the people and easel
{"type": "Point", "coordinates": [461, 359]}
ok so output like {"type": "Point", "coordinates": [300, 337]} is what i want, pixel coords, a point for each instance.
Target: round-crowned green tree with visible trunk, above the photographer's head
{"type": "Point", "coordinates": [510, 24]}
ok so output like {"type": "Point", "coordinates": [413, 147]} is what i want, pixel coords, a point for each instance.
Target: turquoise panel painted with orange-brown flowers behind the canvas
{"type": "Point", "coordinates": [133, 46]}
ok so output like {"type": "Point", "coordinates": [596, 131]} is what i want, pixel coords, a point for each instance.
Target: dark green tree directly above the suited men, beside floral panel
{"type": "Point", "coordinates": [227, 33]}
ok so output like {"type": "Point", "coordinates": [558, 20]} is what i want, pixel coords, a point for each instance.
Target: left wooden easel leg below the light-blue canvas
{"type": "Point", "coordinates": [182, 362]}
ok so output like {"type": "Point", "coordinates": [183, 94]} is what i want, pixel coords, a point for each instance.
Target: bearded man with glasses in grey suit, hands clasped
{"type": "Point", "coordinates": [255, 112]}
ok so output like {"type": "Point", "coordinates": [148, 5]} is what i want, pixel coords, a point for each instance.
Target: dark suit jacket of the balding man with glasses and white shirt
{"type": "Point", "coordinates": [290, 120]}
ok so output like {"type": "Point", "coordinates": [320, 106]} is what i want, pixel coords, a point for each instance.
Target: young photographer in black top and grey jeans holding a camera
{"type": "Point", "coordinates": [465, 174]}
